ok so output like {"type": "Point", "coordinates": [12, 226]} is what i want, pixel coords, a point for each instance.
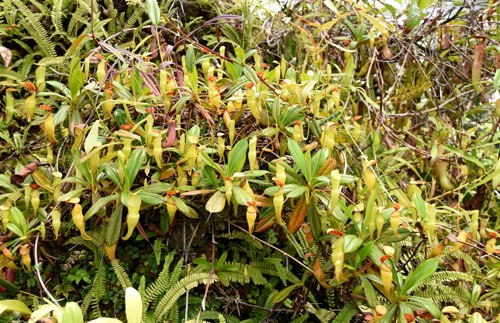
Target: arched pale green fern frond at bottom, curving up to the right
{"type": "Point", "coordinates": [179, 289]}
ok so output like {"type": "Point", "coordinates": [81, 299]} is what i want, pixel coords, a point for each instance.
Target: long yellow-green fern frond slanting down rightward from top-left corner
{"type": "Point", "coordinates": [35, 29]}
